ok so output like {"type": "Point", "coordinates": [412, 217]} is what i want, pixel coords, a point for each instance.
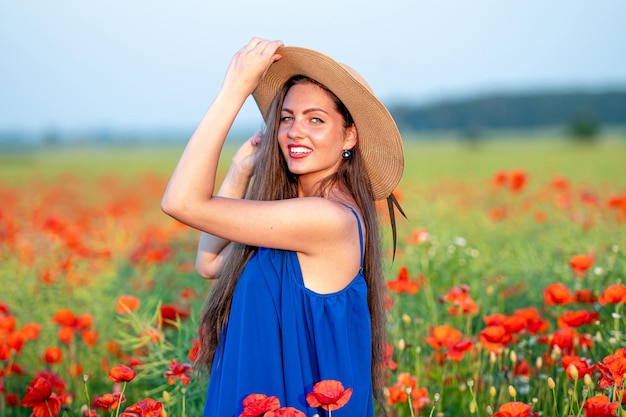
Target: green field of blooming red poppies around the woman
{"type": "Point", "coordinates": [505, 296]}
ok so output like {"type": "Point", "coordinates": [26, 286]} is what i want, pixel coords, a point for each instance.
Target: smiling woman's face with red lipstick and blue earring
{"type": "Point", "coordinates": [311, 132]}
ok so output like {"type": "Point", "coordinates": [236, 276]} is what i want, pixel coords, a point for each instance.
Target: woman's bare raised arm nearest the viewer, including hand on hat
{"type": "Point", "coordinates": [309, 225]}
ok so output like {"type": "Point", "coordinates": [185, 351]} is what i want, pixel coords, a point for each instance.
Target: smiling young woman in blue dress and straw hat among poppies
{"type": "Point", "coordinates": [292, 233]}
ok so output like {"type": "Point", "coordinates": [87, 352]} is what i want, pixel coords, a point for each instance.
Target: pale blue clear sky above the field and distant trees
{"type": "Point", "coordinates": [156, 64]}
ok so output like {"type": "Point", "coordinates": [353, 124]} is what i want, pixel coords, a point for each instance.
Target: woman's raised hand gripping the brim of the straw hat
{"type": "Point", "coordinates": [249, 65]}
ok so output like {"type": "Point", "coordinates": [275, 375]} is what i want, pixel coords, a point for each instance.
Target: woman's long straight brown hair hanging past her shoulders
{"type": "Point", "coordinates": [273, 181]}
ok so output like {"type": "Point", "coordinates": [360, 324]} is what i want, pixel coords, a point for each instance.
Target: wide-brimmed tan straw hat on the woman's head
{"type": "Point", "coordinates": [380, 143]}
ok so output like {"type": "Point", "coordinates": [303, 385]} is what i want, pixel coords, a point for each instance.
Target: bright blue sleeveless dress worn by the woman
{"type": "Point", "coordinates": [283, 338]}
